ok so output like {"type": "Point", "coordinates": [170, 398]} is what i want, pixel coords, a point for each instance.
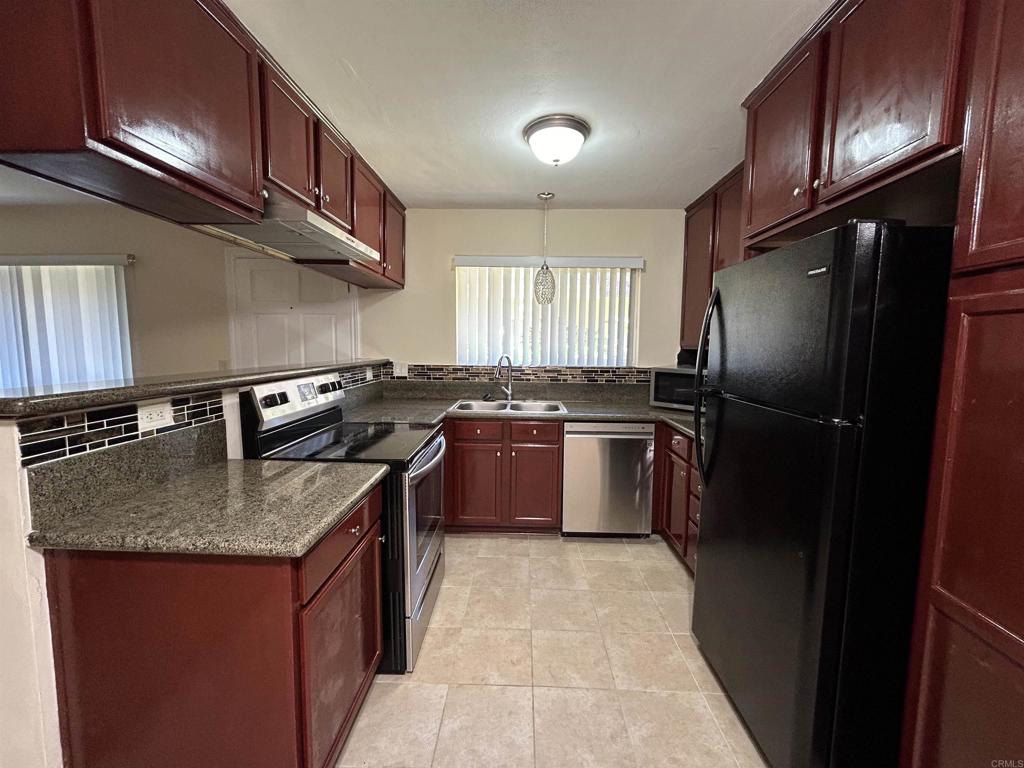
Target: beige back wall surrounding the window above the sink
{"type": "Point", "coordinates": [418, 325]}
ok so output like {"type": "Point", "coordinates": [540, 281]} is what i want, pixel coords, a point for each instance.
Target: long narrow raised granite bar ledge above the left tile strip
{"type": "Point", "coordinates": [24, 402]}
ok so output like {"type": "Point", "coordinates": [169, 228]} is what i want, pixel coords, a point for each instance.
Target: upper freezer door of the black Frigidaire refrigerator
{"type": "Point", "coordinates": [792, 327]}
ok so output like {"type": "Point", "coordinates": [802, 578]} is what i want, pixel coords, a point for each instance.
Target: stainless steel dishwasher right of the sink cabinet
{"type": "Point", "coordinates": [608, 478]}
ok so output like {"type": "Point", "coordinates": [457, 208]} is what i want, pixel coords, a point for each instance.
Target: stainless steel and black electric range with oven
{"type": "Point", "coordinates": [303, 420]}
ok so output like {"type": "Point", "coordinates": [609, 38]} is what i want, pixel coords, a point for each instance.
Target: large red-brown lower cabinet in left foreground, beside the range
{"type": "Point", "coordinates": [168, 661]}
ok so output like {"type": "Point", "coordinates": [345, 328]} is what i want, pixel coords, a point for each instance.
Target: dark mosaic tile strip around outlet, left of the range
{"type": "Point", "coordinates": [52, 438]}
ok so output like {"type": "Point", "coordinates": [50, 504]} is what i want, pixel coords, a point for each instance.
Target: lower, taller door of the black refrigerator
{"type": "Point", "coordinates": [772, 560]}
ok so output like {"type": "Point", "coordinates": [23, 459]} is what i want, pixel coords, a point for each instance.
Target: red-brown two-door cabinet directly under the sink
{"type": "Point", "coordinates": [504, 475]}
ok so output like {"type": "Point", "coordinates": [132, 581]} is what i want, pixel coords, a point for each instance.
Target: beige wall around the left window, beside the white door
{"type": "Point", "coordinates": [177, 289]}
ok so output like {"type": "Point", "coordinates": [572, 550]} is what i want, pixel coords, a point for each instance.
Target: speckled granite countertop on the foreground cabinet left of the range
{"type": "Point", "coordinates": [236, 507]}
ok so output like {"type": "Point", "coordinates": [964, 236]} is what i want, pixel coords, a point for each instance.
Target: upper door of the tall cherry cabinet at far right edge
{"type": "Point", "coordinates": [991, 231]}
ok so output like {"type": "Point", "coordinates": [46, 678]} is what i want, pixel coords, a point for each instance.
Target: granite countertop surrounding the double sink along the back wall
{"type": "Point", "coordinates": [434, 411]}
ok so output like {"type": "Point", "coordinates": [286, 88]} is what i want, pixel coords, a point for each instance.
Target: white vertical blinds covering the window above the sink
{"type": "Point", "coordinates": [592, 321]}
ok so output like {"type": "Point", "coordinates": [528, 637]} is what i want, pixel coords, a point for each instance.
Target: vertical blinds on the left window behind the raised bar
{"type": "Point", "coordinates": [63, 325]}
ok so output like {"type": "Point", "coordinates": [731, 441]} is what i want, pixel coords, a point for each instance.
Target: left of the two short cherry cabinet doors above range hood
{"type": "Point", "coordinates": [289, 137]}
